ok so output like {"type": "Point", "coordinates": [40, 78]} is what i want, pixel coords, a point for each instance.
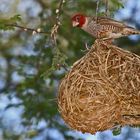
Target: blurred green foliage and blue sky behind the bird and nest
{"type": "Point", "coordinates": [29, 70]}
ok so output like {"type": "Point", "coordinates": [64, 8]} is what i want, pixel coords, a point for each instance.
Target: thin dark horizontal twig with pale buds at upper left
{"type": "Point", "coordinates": [34, 31]}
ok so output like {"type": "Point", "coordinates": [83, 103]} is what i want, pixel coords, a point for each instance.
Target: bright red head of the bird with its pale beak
{"type": "Point", "coordinates": [78, 20]}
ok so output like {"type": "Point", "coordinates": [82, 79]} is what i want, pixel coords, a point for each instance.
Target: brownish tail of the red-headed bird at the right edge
{"type": "Point", "coordinates": [130, 31]}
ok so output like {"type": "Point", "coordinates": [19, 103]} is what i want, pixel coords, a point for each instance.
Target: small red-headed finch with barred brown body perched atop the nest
{"type": "Point", "coordinates": [102, 27]}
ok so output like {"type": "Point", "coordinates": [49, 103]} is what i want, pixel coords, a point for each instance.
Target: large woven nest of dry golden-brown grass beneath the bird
{"type": "Point", "coordinates": [101, 90]}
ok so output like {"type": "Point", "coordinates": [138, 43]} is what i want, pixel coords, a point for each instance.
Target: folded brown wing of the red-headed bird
{"type": "Point", "coordinates": [108, 21]}
